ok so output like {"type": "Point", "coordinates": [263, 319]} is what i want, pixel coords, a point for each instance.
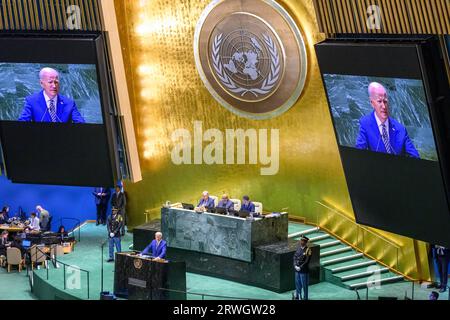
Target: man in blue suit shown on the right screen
{"type": "Point", "coordinates": [379, 132]}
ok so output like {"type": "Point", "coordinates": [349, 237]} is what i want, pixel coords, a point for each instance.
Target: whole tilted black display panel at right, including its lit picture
{"type": "Point", "coordinates": [390, 133]}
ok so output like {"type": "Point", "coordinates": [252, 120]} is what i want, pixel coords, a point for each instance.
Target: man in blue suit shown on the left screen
{"type": "Point", "coordinates": [48, 105]}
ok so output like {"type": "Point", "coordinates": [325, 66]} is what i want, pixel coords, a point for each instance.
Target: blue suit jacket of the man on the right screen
{"type": "Point", "coordinates": [369, 137]}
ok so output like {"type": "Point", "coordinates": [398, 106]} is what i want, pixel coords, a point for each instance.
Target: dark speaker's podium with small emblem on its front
{"type": "Point", "coordinates": [139, 278]}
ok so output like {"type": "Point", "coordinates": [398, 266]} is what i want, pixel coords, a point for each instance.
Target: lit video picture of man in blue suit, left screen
{"type": "Point", "coordinates": [59, 93]}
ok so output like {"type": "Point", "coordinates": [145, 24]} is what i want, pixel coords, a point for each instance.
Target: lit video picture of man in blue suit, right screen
{"type": "Point", "coordinates": [387, 115]}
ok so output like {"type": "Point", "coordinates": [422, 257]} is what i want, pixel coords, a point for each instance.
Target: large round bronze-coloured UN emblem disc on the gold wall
{"type": "Point", "coordinates": [251, 57]}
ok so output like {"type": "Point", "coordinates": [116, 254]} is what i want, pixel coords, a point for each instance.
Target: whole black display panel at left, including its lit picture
{"type": "Point", "coordinates": [56, 114]}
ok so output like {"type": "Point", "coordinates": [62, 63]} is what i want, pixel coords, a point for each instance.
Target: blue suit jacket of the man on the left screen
{"type": "Point", "coordinates": [35, 110]}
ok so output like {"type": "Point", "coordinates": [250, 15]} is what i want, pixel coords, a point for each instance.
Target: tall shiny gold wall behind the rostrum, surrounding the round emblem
{"type": "Point", "coordinates": [167, 94]}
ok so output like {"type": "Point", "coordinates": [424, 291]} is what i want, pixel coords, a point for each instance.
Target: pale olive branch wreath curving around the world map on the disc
{"type": "Point", "coordinates": [268, 83]}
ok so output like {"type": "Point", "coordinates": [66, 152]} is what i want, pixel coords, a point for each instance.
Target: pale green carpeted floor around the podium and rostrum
{"type": "Point", "coordinates": [87, 255]}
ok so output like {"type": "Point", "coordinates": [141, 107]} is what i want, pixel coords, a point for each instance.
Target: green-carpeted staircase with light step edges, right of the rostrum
{"type": "Point", "coordinates": [341, 264]}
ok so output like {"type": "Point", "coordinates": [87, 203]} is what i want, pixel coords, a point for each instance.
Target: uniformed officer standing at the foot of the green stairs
{"type": "Point", "coordinates": [302, 258]}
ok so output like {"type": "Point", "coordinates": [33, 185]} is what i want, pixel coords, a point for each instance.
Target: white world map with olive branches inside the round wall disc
{"type": "Point", "coordinates": [248, 65]}
